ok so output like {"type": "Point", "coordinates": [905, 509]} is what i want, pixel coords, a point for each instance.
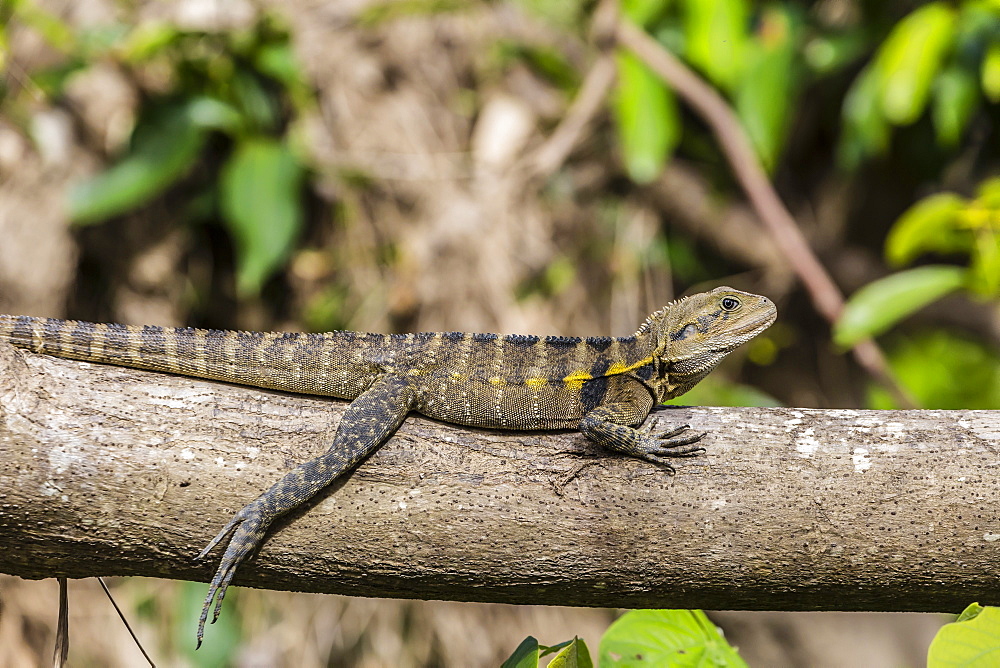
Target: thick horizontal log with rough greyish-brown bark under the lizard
{"type": "Point", "coordinates": [109, 471]}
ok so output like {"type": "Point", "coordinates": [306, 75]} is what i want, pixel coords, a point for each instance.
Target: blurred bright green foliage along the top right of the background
{"type": "Point", "coordinates": [941, 55]}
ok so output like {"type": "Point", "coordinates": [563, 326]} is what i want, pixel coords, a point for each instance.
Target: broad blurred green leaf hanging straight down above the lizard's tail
{"type": "Point", "coordinates": [260, 197]}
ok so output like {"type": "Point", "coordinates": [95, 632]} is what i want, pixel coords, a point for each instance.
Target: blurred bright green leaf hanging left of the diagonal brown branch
{"type": "Point", "coordinates": [647, 119]}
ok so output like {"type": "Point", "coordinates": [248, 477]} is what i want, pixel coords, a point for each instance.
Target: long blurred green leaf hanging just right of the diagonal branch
{"type": "Point", "coordinates": [764, 92]}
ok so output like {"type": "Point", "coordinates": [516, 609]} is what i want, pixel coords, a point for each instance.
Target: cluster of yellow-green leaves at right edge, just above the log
{"type": "Point", "coordinates": [939, 368]}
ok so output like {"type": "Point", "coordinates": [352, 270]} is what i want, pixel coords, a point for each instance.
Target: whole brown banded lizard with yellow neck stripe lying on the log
{"type": "Point", "coordinates": [603, 386]}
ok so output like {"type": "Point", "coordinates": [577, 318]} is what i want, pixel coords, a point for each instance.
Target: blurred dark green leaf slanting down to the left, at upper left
{"type": "Point", "coordinates": [165, 143]}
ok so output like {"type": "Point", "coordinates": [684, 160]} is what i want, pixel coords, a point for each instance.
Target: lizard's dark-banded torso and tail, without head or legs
{"type": "Point", "coordinates": [491, 380]}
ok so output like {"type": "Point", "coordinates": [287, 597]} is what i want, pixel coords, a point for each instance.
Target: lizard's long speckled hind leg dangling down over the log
{"type": "Point", "coordinates": [367, 423]}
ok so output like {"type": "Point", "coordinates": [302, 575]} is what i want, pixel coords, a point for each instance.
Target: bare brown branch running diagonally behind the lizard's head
{"type": "Point", "coordinates": [704, 99]}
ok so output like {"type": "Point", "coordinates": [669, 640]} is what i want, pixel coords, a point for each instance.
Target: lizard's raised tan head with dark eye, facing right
{"type": "Point", "coordinates": [693, 334]}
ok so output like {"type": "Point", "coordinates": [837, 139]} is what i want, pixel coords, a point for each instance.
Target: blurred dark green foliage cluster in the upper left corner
{"type": "Point", "coordinates": [244, 85]}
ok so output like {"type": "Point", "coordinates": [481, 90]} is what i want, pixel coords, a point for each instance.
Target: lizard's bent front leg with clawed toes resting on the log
{"type": "Point", "coordinates": [611, 425]}
